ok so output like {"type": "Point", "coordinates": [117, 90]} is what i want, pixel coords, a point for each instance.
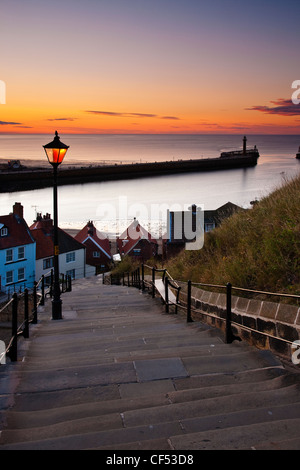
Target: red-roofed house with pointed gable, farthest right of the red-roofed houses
{"type": "Point", "coordinates": [135, 241]}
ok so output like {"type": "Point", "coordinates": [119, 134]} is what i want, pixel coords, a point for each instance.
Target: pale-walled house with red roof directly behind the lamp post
{"type": "Point", "coordinates": [71, 252]}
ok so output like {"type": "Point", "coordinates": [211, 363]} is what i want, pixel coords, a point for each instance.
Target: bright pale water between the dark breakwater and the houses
{"type": "Point", "coordinates": [102, 202]}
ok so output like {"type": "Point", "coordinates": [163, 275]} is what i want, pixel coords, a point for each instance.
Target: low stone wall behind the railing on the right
{"type": "Point", "coordinates": [268, 318]}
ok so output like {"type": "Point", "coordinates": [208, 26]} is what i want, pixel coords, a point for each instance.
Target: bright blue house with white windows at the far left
{"type": "Point", "coordinates": [17, 252]}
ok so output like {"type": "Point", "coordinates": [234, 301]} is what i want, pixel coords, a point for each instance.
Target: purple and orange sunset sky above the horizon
{"type": "Point", "coordinates": [149, 66]}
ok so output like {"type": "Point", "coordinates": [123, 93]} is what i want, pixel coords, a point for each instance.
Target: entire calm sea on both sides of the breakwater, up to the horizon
{"type": "Point", "coordinates": [113, 205]}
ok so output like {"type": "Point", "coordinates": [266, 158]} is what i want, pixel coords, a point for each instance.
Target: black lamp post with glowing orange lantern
{"type": "Point", "coordinates": [55, 152]}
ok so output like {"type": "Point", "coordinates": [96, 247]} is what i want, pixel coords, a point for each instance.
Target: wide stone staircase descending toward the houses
{"type": "Point", "coordinates": [117, 373]}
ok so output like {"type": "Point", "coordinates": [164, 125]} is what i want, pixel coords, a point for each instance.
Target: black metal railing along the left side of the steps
{"type": "Point", "coordinates": [35, 297]}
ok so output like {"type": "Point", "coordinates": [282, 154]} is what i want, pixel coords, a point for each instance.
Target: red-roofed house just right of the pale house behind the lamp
{"type": "Point", "coordinates": [98, 251]}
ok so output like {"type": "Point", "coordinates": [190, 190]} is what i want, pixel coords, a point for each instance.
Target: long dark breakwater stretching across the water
{"type": "Point", "coordinates": [28, 179]}
